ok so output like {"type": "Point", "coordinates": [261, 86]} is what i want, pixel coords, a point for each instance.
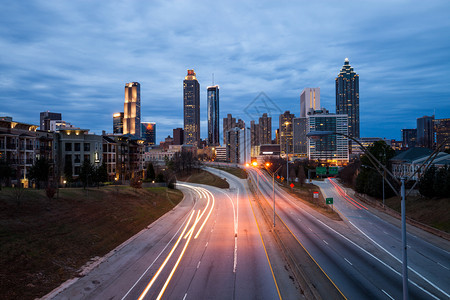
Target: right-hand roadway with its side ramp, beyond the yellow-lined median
{"type": "Point", "coordinates": [356, 260]}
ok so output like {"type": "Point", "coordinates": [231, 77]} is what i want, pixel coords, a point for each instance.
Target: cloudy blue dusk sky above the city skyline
{"type": "Point", "coordinates": [75, 57]}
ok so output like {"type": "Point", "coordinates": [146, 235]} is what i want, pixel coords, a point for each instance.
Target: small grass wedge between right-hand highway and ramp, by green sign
{"type": "Point", "coordinates": [305, 194]}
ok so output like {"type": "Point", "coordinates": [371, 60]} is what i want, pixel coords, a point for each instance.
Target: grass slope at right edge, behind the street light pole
{"type": "Point", "coordinates": [432, 212]}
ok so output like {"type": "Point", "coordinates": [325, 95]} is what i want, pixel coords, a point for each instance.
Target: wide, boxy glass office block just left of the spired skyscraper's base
{"type": "Point", "coordinates": [331, 148]}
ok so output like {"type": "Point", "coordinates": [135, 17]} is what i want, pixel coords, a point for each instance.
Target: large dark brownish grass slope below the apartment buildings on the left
{"type": "Point", "coordinates": [44, 243]}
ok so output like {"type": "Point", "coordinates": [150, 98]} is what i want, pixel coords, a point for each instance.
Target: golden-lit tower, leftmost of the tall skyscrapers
{"type": "Point", "coordinates": [132, 109]}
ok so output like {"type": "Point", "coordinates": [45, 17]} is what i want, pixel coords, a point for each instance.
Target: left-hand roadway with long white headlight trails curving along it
{"type": "Point", "coordinates": [208, 247]}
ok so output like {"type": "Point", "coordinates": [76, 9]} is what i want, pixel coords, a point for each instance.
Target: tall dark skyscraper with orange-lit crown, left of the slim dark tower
{"type": "Point", "coordinates": [191, 98]}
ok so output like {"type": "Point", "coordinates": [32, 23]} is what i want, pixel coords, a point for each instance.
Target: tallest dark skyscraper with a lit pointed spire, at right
{"type": "Point", "coordinates": [347, 97]}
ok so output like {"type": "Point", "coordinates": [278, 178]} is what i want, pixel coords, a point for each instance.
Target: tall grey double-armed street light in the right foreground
{"type": "Point", "coordinates": [402, 183]}
